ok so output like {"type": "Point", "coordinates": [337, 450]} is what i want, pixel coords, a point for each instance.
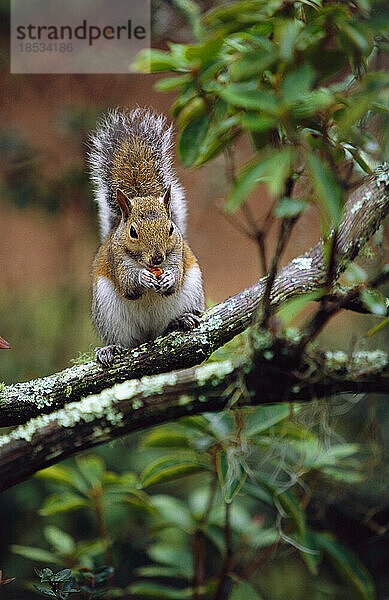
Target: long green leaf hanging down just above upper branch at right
{"type": "Point", "coordinates": [329, 193]}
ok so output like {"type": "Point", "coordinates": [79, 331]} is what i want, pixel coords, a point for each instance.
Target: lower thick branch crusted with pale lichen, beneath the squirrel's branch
{"type": "Point", "coordinates": [139, 404]}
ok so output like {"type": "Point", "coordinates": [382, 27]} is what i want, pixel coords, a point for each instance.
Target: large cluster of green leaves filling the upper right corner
{"type": "Point", "coordinates": [301, 79]}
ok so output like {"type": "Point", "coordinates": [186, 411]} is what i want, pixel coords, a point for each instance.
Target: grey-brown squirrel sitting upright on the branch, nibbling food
{"type": "Point", "coordinates": [146, 279]}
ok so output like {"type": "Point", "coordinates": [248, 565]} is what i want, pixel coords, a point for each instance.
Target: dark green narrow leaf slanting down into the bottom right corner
{"type": "Point", "coordinates": [348, 567]}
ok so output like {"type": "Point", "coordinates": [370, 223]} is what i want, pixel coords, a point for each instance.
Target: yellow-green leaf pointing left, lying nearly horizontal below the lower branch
{"type": "Point", "coordinates": [170, 467]}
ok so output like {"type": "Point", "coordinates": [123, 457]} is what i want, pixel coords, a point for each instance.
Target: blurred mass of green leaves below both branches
{"type": "Point", "coordinates": [266, 500]}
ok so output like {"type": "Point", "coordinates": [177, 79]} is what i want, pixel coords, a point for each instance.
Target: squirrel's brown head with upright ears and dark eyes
{"type": "Point", "coordinates": [146, 228]}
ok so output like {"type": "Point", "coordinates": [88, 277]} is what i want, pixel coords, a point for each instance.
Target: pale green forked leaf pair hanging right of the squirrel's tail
{"type": "Point", "coordinates": [272, 170]}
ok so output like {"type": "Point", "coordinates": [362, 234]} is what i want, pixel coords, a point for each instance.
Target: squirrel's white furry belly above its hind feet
{"type": "Point", "coordinates": [133, 322]}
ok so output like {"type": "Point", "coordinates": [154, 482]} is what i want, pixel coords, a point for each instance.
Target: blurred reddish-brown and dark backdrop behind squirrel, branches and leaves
{"type": "Point", "coordinates": [48, 237]}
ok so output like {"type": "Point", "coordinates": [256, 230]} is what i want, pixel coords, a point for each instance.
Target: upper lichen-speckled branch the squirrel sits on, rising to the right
{"type": "Point", "coordinates": [364, 212]}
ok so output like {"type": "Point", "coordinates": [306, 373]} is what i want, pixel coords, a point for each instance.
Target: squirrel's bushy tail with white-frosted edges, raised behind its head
{"type": "Point", "coordinates": [130, 151]}
